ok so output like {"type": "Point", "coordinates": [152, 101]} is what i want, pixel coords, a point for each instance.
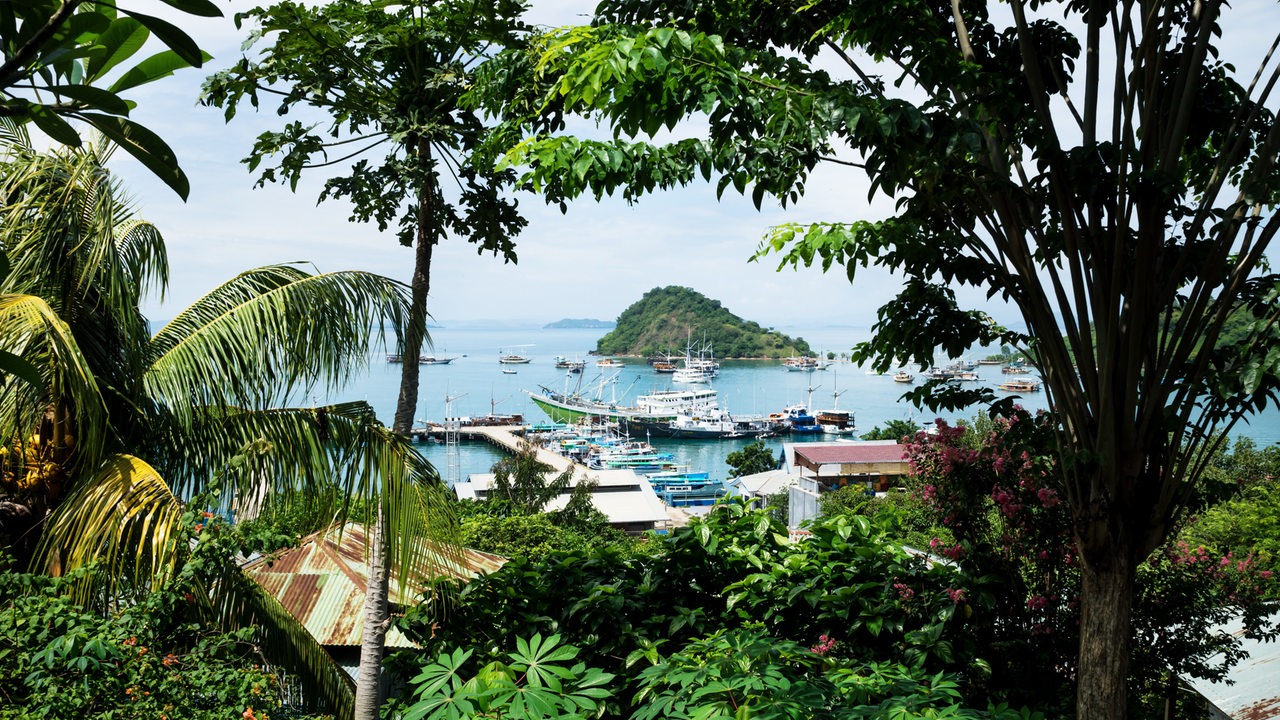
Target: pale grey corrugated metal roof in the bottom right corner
{"type": "Point", "coordinates": [1255, 694]}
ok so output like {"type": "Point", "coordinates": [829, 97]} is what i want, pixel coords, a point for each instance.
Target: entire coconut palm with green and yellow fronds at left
{"type": "Point", "coordinates": [126, 426]}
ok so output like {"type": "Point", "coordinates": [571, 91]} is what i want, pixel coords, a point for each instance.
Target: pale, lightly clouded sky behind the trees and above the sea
{"type": "Point", "coordinates": [592, 262]}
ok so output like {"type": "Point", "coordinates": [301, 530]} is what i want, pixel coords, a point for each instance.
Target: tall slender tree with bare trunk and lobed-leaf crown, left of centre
{"type": "Point", "coordinates": [388, 78]}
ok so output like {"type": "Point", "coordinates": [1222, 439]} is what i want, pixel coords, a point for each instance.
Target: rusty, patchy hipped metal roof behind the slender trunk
{"type": "Point", "coordinates": [323, 581]}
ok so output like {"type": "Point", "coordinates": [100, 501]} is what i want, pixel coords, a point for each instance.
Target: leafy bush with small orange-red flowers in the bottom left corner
{"type": "Point", "coordinates": [159, 658]}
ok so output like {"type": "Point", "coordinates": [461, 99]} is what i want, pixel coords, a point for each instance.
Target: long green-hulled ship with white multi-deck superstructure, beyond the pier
{"type": "Point", "coordinates": [660, 405]}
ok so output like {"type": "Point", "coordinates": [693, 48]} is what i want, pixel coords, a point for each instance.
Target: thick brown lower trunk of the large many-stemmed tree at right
{"type": "Point", "coordinates": [1107, 607]}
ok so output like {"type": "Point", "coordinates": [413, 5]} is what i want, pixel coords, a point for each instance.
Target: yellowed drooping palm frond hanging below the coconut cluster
{"type": "Point", "coordinates": [125, 520]}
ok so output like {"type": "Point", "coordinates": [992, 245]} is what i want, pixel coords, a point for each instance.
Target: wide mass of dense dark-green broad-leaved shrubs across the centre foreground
{"type": "Point", "coordinates": [847, 589]}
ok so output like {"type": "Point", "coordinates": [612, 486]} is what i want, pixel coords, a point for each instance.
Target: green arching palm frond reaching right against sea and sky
{"type": "Point", "coordinates": [268, 335]}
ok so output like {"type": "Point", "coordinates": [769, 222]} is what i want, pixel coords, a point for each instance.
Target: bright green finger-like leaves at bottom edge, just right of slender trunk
{"type": "Point", "coordinates": [534, 683]}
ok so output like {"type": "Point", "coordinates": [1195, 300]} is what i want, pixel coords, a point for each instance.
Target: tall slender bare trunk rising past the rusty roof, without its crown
{"type": "Point", "coordinates": [377, 604]}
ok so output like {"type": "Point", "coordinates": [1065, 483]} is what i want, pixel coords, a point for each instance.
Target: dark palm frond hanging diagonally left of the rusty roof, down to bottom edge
{"type": "Point", "coordinates": [241, 603]}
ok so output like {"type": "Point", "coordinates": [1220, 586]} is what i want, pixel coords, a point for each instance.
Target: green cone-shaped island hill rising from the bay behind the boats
{"type": "Point", "coordinates": [670, 318]}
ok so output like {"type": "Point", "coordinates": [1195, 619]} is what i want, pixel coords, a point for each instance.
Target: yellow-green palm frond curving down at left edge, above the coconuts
{"type": "Point", "coordinates": [31, 330]}
